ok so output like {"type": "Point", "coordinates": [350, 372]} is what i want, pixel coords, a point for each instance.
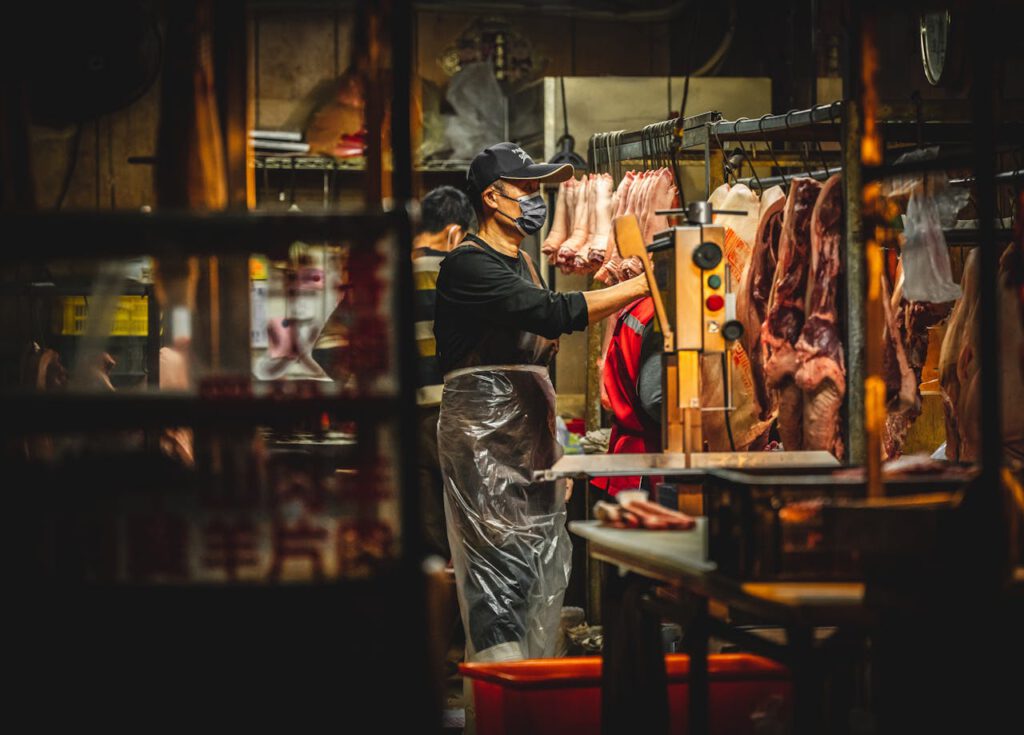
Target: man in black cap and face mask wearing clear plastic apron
{"type": "Point", "coordinates": [497, 327]}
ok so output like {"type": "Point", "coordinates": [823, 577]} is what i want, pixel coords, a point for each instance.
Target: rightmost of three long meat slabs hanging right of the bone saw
{"type": "Point", "coordinates": [822, 374]}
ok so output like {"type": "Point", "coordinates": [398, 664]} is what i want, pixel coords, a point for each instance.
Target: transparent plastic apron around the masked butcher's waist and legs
{"type": "Point", "coordinates": [510, 549]}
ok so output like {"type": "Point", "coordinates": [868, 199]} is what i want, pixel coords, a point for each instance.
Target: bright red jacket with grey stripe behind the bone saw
{"type": "Point", "coordinates": [632, 431]}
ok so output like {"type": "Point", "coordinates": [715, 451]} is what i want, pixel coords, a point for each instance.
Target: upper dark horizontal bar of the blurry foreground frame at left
{"type": "Point", "coordinates": [89, 235]}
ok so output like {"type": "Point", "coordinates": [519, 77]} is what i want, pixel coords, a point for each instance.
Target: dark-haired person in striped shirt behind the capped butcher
{"type": "Point", "coordinates": [447, 217]}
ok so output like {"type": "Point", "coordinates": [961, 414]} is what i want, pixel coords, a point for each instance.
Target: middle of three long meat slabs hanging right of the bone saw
{"type": "Point", "coordinates": [785, 320]}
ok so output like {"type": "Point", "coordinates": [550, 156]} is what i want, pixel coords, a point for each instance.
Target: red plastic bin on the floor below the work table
{"type": "Point", "coordinates": [556, 697]}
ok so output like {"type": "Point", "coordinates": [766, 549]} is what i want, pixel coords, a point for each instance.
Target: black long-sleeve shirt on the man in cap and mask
{"type": "Point", "coordinates": [482, 292]}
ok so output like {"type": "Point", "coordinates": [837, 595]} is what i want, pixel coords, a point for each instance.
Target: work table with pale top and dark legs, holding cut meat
{"type": "Point", "coordinates": [638, 561]}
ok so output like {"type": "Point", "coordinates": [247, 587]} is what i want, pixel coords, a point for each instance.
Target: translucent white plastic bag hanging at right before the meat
{"type": "Point", "coordinates": [928, 276]}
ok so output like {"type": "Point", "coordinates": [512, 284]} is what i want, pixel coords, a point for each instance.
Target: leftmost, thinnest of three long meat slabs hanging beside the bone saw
{"type": "Point", "coordinates": [755, 290]}
